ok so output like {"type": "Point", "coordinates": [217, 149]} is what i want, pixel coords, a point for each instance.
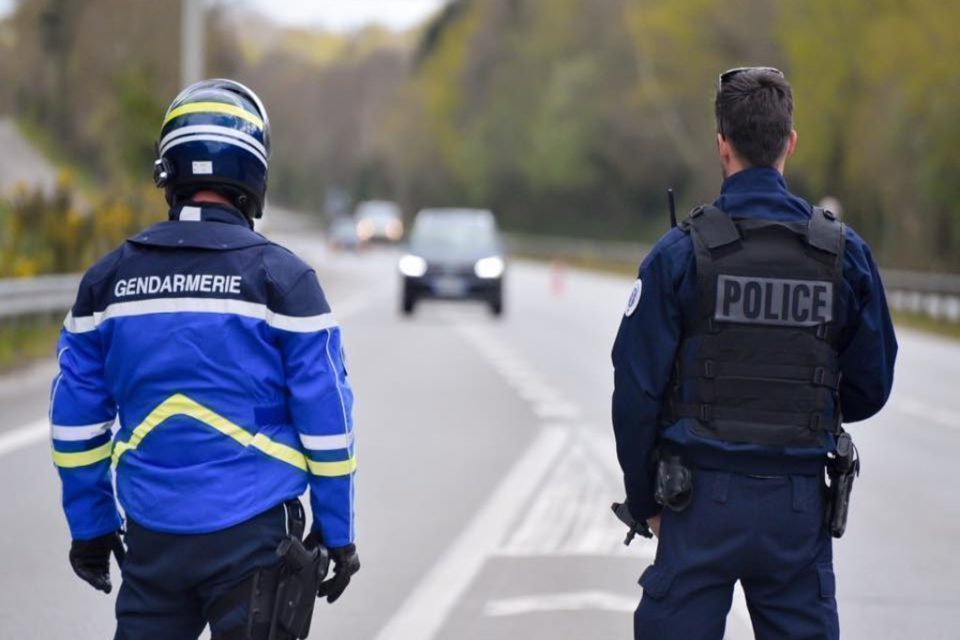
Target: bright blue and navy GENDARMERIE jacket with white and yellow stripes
{"type": "Point", "coordinates": [215, 352]}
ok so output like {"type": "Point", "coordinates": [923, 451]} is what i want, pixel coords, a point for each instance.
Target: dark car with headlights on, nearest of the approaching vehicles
{"type": "Point", "coordinates": [453, 254]}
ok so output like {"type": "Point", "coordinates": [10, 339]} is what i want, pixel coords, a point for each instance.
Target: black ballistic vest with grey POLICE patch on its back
{"type": "Point", "coordinates": [764, 366]}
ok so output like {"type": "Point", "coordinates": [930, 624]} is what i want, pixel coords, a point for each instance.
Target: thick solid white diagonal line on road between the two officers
{"type": "Point", "coordinates": [423, 613]}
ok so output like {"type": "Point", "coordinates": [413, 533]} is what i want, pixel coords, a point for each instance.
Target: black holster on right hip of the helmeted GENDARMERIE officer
{"type": "Point", "coordinates": [279, 599]}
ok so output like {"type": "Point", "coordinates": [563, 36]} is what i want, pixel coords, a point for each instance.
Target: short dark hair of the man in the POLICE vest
{"type": "Point", "coordinates": [754, 110]}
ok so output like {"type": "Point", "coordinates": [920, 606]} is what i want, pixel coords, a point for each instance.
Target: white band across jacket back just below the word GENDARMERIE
{"type": "Point", "coordinates": [305, 324]}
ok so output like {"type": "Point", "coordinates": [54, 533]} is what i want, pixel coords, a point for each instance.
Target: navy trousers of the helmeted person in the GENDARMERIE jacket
{"type": "Point", "coordinates": [170, 580]}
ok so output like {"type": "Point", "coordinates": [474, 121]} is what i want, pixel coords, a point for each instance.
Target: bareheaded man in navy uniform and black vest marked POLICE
{"type": "Point", "coordinates": [752, 329]}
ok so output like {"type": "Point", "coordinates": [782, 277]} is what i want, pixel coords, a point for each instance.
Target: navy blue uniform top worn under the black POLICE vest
{"type": "Point", "coordinates": [650, 337]}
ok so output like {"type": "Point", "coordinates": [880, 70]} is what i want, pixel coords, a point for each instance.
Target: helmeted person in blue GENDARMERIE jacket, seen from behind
{"type": "Point", "coordinates": [216, 353]}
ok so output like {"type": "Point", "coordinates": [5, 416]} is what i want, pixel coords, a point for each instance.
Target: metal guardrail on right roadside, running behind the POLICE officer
{"type": "Point", "coordinates": [935, 295]}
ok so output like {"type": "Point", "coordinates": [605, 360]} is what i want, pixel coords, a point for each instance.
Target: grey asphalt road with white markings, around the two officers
{"type": "Point", "coordinates": [487, 470]}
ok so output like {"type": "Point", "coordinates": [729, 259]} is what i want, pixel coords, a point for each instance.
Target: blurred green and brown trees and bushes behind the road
{"type": "Point", "coordinates": [566, 117]}
